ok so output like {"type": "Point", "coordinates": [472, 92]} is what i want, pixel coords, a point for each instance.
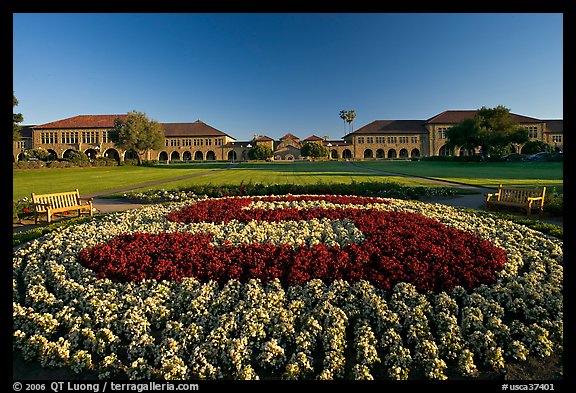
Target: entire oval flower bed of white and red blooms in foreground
{"type": "Point", "coordinates": [288, 287]}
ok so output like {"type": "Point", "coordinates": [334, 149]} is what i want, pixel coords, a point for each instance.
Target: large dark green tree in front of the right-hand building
{"type": "Point", "coordinates": [491, 129]}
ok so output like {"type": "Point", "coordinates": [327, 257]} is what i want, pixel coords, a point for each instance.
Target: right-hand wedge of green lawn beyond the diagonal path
{"type": "Point", "coordinates": [485, 174]}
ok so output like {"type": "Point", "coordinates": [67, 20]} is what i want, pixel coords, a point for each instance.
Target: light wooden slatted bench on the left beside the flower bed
{"type": "Point", "coordinates": [60, 202]}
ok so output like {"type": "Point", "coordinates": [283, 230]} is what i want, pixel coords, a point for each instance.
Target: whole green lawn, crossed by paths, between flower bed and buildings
{"type": "Point", "coordinates": [92, 180]}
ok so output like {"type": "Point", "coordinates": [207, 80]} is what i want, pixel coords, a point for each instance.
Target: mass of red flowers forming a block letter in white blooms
{"type": "Point", "coordinates": [398, 247]}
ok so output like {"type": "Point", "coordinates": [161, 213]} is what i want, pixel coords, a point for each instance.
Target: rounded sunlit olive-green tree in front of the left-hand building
{"type": "Point", "coordinates": [137, 133]}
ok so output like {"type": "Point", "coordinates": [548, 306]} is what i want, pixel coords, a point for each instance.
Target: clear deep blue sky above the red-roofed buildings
{"type": "Point", "coordinates": [276, 73]}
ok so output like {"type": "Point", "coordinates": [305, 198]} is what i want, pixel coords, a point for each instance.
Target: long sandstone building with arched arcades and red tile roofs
{"type": "Point", "coordinates": [198, 141]}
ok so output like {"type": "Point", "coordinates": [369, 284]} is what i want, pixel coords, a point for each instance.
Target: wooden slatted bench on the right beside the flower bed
{"type": "Point", "coordinates": [525, 198]}
